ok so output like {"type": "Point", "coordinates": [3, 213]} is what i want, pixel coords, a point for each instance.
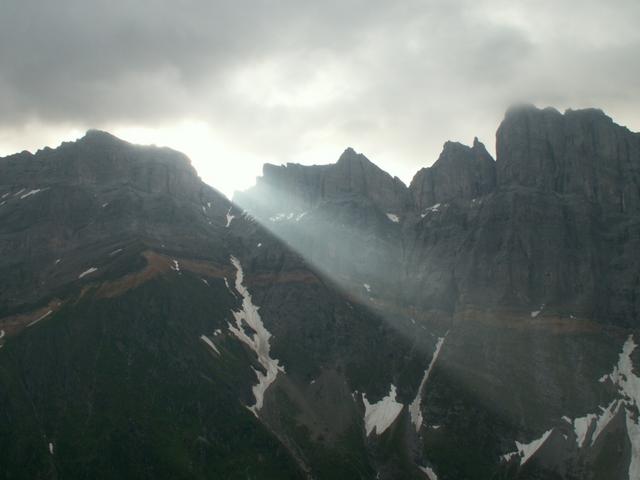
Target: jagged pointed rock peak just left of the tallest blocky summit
{"type": "Point", "coordinates": [460, 173]}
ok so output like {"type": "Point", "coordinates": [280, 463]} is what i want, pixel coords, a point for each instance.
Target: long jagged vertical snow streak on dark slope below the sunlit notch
{"type": "Point", "coordinates": [259, 342]}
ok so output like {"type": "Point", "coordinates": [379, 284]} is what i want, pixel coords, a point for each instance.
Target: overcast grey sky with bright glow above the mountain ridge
{"type": "Point", "coordinates": [239, 83]}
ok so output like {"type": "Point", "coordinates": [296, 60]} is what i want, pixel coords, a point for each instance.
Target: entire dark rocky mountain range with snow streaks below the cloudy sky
{"type": "Point", "coordinates": [331, 322]}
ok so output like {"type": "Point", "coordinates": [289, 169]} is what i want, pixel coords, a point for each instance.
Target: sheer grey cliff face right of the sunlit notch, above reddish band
{"type": "Point", "coordinates": [553, 221]}
